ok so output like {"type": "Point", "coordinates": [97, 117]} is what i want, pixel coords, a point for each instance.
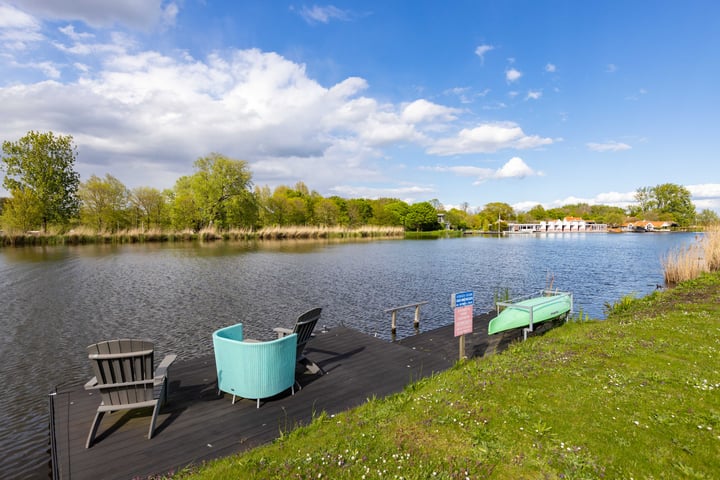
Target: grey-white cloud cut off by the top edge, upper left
{"type": "Point", "coordinates": [140, 14]}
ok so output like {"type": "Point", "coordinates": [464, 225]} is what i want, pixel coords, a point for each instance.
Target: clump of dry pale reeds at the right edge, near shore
{"type": "Point", "coordinates": [689, 262]}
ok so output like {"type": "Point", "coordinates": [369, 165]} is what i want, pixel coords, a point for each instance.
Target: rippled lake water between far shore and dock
{"type": "Point", "coordinates": [55, 301]}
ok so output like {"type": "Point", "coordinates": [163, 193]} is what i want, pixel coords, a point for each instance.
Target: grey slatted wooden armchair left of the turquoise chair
{"type": "Point", "coordinates": [125, 378]}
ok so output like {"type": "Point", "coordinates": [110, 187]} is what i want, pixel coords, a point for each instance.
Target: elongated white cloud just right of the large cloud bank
{"type": "Point", "coordinates": [487, 138]}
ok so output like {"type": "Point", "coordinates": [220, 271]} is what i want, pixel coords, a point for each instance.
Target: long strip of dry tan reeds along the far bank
{"type": "Point", "coordinates": [81, 236]}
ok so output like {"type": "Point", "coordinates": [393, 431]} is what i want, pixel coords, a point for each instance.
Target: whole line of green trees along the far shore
{"type": "Point", "coordinates": [46, 191]}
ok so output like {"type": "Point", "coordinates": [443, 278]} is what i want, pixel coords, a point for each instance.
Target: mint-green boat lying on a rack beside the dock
{"type": "Point", "coordinates": [530, 310]}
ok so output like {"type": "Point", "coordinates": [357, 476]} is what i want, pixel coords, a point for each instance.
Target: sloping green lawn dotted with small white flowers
{"type": "Point", "coordinates": [635, 396]}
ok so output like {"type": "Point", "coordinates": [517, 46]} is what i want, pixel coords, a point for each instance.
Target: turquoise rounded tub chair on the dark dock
{"type": "Point", "coordinates": [251, 369]}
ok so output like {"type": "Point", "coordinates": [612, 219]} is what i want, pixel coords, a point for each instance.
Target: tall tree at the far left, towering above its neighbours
{"type": "Point", "coordinates": [41, 165]}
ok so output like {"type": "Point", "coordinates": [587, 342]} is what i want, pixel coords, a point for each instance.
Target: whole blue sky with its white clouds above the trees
{"type": "Point", "coordinates": [523, 102]}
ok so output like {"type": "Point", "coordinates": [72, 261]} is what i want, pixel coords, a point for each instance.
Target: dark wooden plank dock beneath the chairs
{"type": "Point", "coordinates": [198, 424]}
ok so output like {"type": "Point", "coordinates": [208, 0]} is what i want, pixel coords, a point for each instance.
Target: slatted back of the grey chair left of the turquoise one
{"type": "Point", "coordinates": [124, 370]}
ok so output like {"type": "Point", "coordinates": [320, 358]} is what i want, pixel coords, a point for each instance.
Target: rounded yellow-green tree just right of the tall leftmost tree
{"type": "Point", "coordinates": [104, 203]}
